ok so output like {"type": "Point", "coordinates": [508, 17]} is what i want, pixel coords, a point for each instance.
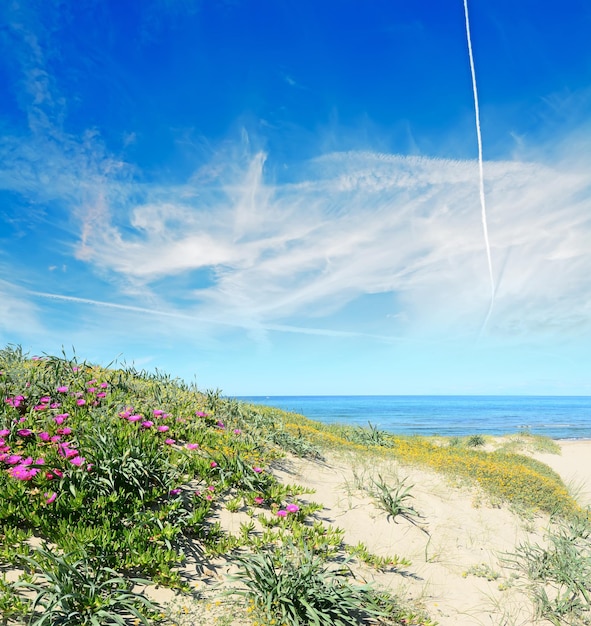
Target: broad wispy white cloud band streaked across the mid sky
{"type": "Point", "coordinates": [359, 223]}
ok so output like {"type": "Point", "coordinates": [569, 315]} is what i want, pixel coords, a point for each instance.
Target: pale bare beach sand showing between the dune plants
{"type": "Point", "coordinates": [457, 549]}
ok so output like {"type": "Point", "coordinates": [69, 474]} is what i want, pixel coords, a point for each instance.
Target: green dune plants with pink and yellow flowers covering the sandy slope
{"type": "Point", "coordinates": [116, 472]}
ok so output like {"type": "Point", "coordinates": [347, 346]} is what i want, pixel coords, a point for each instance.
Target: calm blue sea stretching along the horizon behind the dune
{"type": "Point", "coordinates": [558, 417]}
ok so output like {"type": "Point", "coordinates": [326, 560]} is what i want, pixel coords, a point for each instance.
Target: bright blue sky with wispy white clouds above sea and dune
{"type": "Point", "coordinates": [281, 197]}
